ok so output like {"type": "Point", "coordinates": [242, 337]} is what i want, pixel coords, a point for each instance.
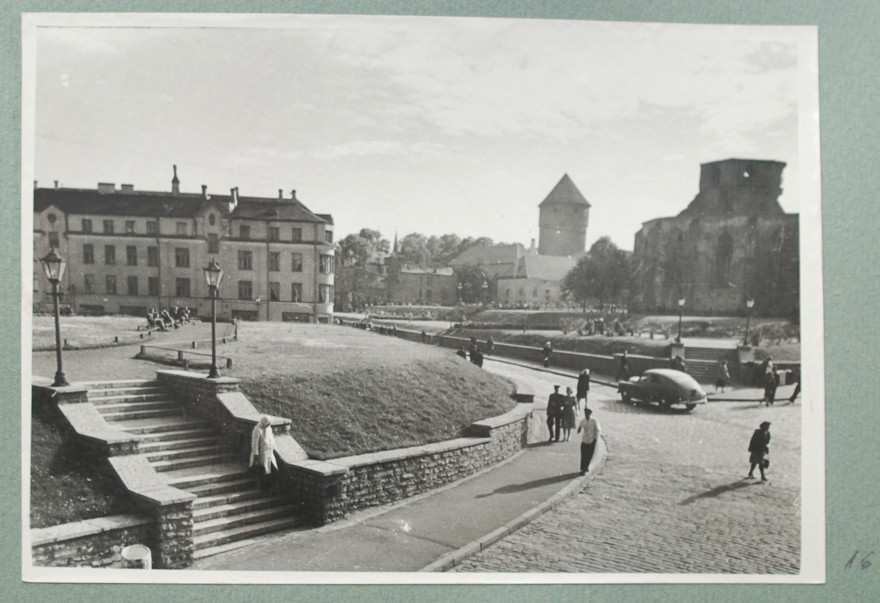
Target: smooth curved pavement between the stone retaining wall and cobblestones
{"type": "Point", "coordinates": [435, 531]}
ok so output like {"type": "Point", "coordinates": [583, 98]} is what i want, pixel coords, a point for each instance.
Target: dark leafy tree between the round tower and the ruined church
{"type": "Point", "coordinates": [601, 276]}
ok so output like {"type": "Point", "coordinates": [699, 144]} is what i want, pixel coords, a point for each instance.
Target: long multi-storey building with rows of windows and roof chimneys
{"type": "Point", "coordinates": [128, 251]}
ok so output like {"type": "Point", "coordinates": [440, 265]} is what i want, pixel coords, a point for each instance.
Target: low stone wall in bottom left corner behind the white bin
{"type": "Point", "coordinates": [94, 542]}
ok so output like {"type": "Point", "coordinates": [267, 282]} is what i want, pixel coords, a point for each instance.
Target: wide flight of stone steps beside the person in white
{"type": "Point", "coordinates": [189, 454]}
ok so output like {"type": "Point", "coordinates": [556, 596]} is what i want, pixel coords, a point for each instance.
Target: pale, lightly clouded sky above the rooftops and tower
{"type": "Point", "coordinates": [430, 125]}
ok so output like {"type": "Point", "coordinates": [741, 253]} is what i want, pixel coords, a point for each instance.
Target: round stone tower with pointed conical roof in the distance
{"type": "Point", "coordinates": [565, 215]}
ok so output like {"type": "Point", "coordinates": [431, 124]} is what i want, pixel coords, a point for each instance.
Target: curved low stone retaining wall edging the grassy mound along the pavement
{"type": "Point", "coordinates": [329, 490]}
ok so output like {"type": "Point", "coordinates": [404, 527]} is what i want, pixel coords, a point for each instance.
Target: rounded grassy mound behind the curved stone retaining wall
{"type": "Point", "coordinates": [350, 392]}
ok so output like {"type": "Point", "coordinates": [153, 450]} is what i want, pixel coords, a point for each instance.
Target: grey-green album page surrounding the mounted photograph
{"type": "Point", "coordinates": [849, 85]}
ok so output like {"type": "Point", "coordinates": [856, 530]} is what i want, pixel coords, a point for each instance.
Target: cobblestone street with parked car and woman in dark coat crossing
{"type": "Point", "coordinates": [672, 497]}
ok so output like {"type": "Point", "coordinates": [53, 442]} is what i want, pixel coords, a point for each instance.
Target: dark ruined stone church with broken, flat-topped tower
{"type": "Point", "coordinates": [732, 243]}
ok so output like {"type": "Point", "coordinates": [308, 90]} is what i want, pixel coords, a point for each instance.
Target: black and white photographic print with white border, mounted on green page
{"type": "Point", "coordinates": [374, 299]}
